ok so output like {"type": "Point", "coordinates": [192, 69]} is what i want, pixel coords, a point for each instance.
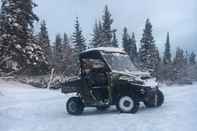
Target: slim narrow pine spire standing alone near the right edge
{"type": "Point", "coordinates": [167, 52]}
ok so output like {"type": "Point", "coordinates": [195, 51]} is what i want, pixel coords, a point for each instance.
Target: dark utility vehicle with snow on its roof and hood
{"type": "Point", "coordinates": [108, 77]}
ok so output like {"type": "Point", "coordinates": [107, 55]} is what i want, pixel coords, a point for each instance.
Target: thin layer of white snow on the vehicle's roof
{"type": "Point", "coordinates": [107, 49]}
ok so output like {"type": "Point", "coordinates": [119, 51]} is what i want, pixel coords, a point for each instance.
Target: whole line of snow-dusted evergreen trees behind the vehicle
{"type": "Point", "coordinates": [22, 50]}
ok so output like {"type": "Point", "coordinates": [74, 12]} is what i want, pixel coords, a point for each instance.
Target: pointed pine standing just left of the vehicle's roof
{"type": "Point", "coordinates": [78, 38]}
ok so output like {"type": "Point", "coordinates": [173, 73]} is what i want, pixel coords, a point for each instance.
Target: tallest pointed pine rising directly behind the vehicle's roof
{"type": "Point", "coordinates": [107, 31]}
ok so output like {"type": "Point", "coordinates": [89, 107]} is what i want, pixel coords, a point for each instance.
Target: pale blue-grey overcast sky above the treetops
{"type": "Point", "coordinates": [175, 16]}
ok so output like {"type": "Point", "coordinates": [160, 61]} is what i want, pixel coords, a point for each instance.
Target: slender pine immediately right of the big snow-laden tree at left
{"type": "Point", "coordinates": [44, 41]}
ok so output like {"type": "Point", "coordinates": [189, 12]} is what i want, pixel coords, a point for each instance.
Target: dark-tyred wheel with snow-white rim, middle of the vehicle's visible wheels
{"type": "Point", "coordinates": [126, 104]}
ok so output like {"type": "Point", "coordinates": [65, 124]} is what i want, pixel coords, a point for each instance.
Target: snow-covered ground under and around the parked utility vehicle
{"type": "Point", "coordinates": [25, 108]}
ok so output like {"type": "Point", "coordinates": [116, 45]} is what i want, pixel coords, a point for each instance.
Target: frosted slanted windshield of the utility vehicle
{"type": "Point", "coordinates": [119, 62]}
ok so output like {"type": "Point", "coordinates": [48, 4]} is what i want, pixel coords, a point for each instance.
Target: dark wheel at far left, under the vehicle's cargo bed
{"type": "Point", "coordinates": [74, 106]}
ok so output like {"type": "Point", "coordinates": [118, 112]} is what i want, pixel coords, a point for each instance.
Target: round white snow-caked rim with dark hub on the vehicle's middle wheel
{"type": "Point", "coordinates": [126, 104]}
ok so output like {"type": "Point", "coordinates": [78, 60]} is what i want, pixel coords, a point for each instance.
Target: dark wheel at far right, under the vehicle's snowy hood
{"type": "Point", "coordinates": [154, 99]}
